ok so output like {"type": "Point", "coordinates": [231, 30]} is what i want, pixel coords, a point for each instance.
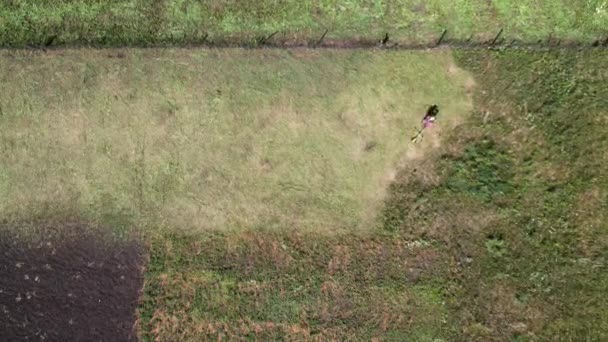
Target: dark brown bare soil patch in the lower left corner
{"type": "Point", "coordinates": [74, 286]}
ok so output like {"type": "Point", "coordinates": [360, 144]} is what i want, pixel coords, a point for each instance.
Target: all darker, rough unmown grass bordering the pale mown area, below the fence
{"type": "Point", "coordinates": [499, 234]}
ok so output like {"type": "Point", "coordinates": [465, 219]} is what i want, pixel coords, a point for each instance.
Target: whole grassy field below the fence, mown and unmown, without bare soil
{"type": "Point", "coordinates": [239, 162]}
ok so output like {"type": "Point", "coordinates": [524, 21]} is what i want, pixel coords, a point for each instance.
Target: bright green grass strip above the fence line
{"type": "Point", "coordinates": [144, 22]}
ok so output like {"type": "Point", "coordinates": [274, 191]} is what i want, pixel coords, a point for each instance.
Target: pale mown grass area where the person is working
{"type": "Point", "coordinates": [229, 139]}
